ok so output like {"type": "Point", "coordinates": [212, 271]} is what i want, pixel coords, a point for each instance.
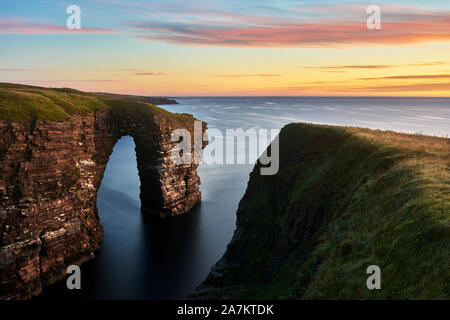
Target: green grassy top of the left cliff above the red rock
{"type": "Point", "coordinates": [20, 102]}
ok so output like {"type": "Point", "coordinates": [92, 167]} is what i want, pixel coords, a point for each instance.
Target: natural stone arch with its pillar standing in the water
{"type": "Point", "coordinates": [166, 189]}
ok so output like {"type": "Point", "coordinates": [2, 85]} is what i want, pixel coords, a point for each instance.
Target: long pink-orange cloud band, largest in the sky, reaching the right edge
{"type": "Point", "coordinates": [301, 35]}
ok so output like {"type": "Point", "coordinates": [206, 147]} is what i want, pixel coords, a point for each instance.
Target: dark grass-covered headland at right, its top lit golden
{"type": "Point", "coordinates": [343, 199]}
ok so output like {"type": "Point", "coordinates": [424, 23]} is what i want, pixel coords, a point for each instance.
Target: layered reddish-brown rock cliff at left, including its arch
{"type": "Point", "coordinates": [50, 172]}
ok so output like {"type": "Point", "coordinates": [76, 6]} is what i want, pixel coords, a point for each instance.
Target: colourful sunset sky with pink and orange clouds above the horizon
{"type": "Point", "coordinates": [229, 47]}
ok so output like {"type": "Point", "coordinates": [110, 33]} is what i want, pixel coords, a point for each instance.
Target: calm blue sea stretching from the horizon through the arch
{"type": "Point", "coordinates": [149, 258]}
